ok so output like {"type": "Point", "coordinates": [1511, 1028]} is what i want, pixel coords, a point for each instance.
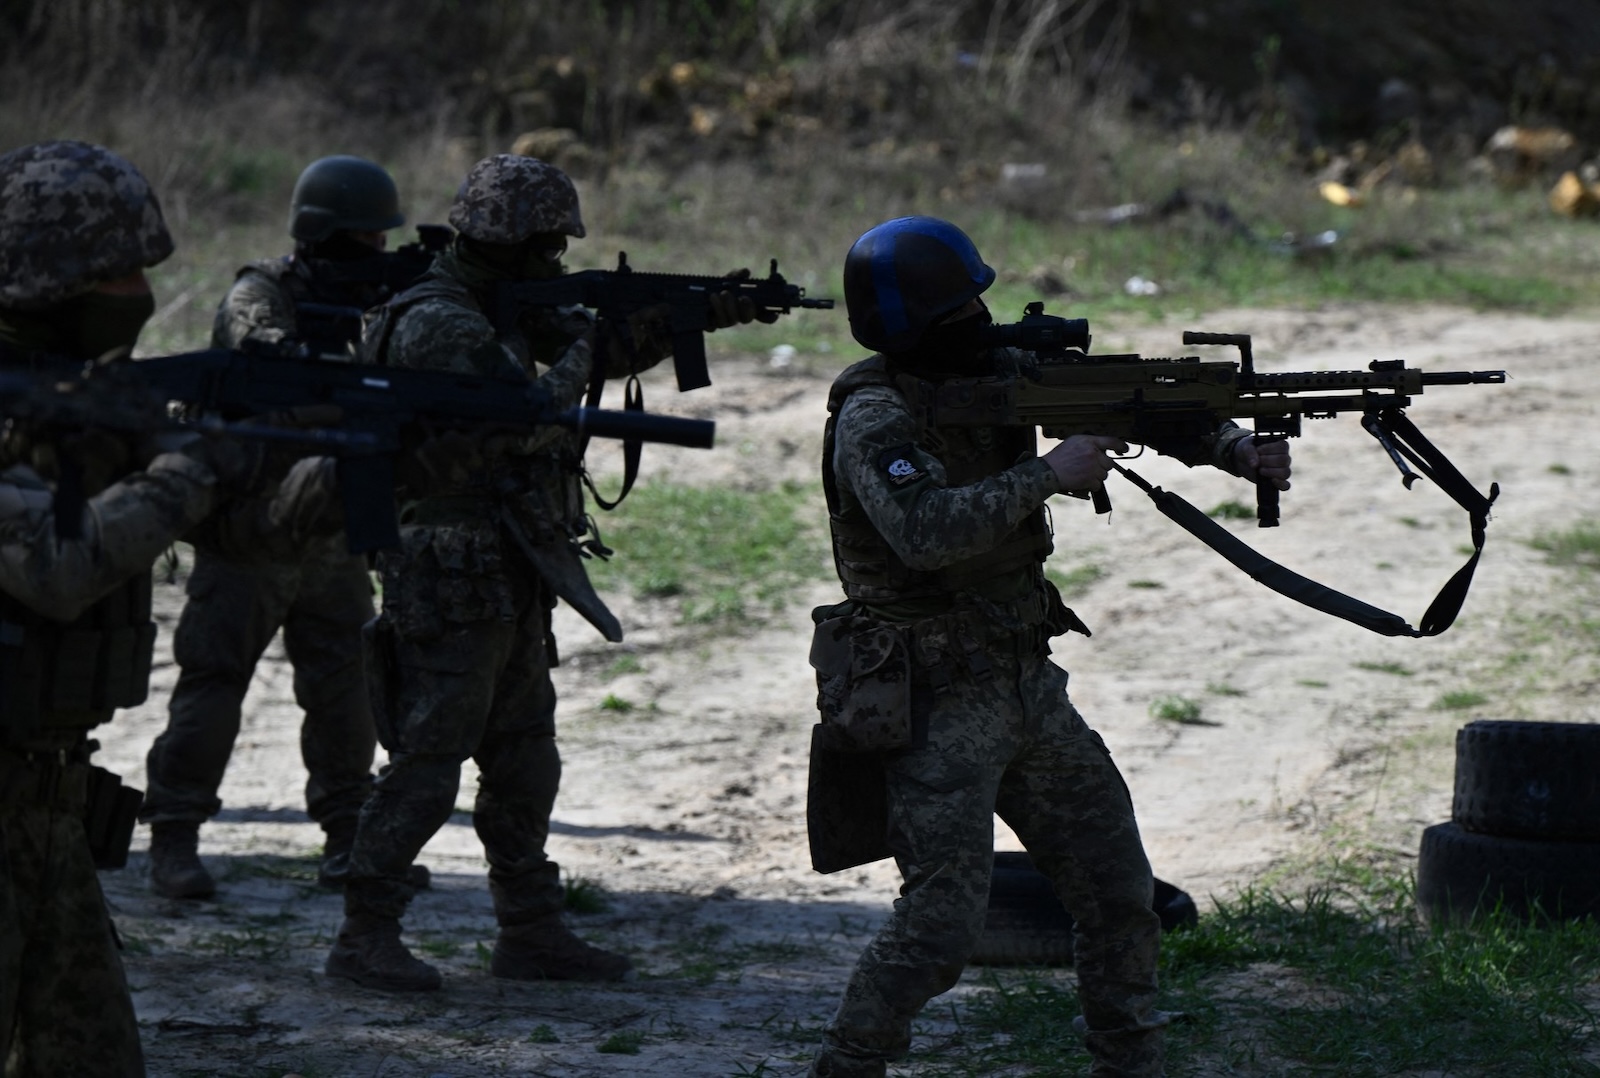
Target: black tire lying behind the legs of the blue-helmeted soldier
{"type": "Point", "coordinates": [1028, 927]}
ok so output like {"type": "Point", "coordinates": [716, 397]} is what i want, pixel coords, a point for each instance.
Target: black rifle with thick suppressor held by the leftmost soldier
{"type": "Point", "coordinates": [385, 412]}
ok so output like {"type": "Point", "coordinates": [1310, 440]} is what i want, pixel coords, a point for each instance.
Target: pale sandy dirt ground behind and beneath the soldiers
{"type": "Point", "coordinates": [689, 810]}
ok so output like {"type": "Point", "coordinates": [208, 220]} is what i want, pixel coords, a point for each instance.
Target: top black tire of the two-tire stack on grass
{"type": "Point", "coordinates": [1529, 780]}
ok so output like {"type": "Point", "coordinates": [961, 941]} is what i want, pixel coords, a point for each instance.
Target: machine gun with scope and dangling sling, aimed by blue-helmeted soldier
{"type": "Point", "coordinates": [1172, 404]}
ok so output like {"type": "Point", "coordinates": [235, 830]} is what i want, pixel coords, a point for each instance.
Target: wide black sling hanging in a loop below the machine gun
{"type": "Point", "coordinates": [1441, 613]}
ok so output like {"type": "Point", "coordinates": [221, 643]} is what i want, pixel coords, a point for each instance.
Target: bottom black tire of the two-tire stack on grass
{"type": "Point", "coordinates": [1462, 872]}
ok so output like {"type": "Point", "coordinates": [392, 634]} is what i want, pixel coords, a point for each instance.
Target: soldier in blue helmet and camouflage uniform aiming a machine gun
{"type": "Point", "coordinates": [938, 663]}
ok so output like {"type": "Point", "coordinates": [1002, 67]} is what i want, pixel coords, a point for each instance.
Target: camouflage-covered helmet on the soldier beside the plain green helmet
{"type": "Point", "coordinates": [508, 199]}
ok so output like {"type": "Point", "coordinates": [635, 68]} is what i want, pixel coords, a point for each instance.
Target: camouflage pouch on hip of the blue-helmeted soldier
{"type": "Point", "coordinates": [863, 681]}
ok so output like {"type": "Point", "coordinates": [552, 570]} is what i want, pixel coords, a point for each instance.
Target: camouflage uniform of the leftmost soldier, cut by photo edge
{"type": "Point", "coordinates": [65, 1005]}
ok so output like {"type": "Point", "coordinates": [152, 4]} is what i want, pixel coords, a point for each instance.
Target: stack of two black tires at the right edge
{"type": "Point", "coordinates": [1524, 831]}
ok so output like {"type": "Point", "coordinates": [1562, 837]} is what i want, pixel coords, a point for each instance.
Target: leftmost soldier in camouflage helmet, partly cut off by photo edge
{"type": "Point", "coordinates": [78, 230]}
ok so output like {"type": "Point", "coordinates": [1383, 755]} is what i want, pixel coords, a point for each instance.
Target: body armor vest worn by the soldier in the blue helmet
{"type": "Point", "coordinates": [868, 565]}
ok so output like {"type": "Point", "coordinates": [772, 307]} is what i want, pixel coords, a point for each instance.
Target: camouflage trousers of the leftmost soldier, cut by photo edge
{"type": "Point", "coordinates": [65, 1007]}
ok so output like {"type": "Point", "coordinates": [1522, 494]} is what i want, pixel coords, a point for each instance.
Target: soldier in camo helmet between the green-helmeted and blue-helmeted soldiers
{"type": "Point", "coordinates": [460, 660]}
